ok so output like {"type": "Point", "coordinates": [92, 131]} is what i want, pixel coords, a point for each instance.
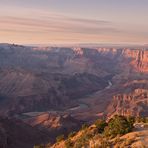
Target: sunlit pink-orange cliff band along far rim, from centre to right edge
{"type": "Point", "coordinates": [136, 58]}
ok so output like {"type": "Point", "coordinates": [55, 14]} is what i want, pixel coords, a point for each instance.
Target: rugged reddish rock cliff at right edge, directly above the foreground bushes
{"type": "Point", "coordinates": [132, 102]}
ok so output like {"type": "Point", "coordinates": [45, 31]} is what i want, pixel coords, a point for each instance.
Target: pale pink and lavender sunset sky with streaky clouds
{"type": "Point", "coordinates": [73, 21]}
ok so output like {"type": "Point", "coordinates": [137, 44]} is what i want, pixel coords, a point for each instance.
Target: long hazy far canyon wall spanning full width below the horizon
{"type": "Point", "coordinates": [72, 60]}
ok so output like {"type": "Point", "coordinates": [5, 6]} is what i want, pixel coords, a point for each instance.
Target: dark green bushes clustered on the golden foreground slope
{"type": "Point", "coordinates": [116, 126]}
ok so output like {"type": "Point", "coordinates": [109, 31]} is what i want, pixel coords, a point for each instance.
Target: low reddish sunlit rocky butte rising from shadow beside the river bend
{"type": "Point", "coordinates": [55, 123]}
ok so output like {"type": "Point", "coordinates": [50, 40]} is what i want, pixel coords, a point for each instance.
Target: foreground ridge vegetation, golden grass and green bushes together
{"type": "Point", "coordinates": [101, 134]}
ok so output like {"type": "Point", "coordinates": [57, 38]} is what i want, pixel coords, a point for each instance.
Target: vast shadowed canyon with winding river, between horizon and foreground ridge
{"type": "Point", "coordinates": [57, 89]}
